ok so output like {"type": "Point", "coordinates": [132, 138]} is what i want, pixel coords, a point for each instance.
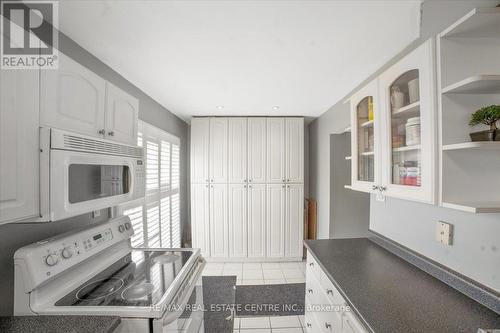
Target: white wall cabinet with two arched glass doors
{"type": "Point", "coordinates": [393, 122]}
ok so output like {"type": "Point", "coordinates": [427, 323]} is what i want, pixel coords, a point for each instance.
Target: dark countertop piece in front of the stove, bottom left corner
{"type": "Point", "coordinates": [59, 324]}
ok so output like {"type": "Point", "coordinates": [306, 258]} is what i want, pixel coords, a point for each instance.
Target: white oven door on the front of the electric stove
{"type": "Point", "coordinates": [186, 315]}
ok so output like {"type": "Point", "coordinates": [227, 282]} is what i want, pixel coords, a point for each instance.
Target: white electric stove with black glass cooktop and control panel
{"type": "Point", "coordinates": [95, 271]}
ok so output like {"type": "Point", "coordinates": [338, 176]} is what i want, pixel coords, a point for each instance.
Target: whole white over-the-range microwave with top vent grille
{"type": "Point", "coordinates": [80, 174]}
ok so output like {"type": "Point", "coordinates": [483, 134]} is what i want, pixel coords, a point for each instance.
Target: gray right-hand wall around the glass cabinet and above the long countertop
{"type": "Point", "coordinates": [475, 252]}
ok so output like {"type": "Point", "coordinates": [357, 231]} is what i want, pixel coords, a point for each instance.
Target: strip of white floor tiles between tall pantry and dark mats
{"type": "Point", "coordinates": [259, 273]}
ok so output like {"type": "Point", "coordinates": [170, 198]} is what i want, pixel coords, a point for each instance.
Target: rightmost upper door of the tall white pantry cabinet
{"type": "Point", "coordinates": [294, 163]}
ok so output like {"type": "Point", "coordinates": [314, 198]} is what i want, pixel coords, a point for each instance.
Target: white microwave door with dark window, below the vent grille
{"type": "Point", "coordinates": [84, 182]}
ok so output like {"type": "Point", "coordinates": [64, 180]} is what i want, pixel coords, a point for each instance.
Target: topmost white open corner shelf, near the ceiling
{"type": "Point", "coordinates": [480, 22]}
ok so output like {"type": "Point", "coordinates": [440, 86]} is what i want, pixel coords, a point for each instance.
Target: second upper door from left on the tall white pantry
{"type": "Point", "coordinates": [218, 150]}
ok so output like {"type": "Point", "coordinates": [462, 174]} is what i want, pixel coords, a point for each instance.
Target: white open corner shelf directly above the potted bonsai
{"type": "Point", "coordinates": [477, 84]}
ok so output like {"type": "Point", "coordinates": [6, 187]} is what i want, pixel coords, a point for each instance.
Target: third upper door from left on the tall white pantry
{"type": "Point", "coordinates": [237, 166]}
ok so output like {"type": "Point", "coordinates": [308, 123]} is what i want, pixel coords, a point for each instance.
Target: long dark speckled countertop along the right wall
{"type": "Point", "coordinates": [390, 295]}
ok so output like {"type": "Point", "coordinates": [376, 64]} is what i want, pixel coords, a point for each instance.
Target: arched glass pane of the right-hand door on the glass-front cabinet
{"type": "Point", "coordinates": [405, 130]}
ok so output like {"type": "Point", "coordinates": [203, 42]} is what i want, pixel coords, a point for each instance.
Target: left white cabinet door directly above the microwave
{"type": "Point", "coordinates": [72, 98]}
